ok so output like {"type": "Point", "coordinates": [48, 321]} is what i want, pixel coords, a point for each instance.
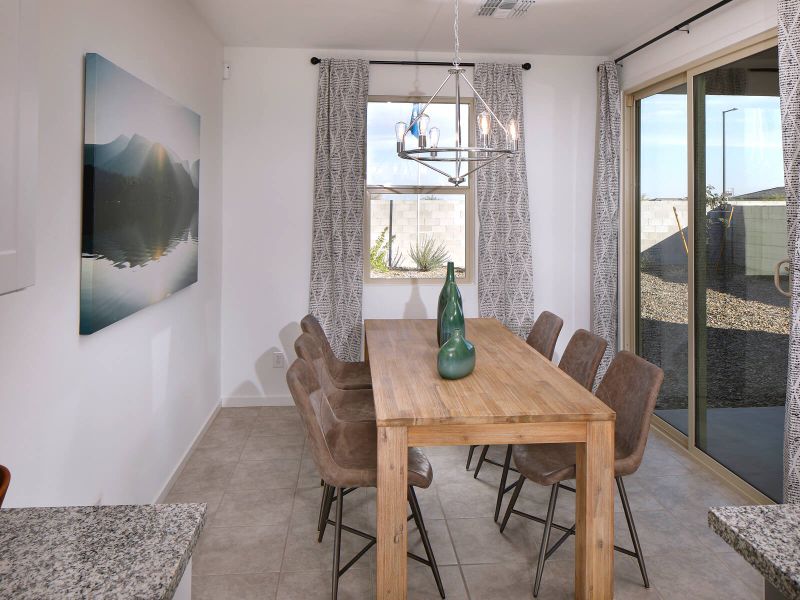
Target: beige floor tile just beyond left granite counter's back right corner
{"type": "Point", "coordinates": [254, 507]}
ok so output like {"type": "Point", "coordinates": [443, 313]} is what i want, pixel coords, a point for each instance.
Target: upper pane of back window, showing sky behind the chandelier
{"type": "Point", "coordinates": [384, 167]}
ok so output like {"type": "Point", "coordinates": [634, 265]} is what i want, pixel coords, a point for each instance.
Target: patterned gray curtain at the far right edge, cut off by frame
{"type": "Point", "coordinates": [789, 76]}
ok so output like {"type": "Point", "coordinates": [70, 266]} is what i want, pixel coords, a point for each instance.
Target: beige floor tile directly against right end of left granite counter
{"type": "Point", "coordinates": [237, 550]}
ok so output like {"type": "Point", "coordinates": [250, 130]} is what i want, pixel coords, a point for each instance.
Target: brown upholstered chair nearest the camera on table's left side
{"type": "Point", "coordinates": [345, 453]}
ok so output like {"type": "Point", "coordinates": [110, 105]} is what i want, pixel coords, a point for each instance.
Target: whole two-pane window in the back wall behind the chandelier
{"type": "Point", "coordinates": [416, 221]}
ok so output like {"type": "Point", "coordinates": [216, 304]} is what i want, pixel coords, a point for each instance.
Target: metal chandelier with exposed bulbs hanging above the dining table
{"type": "Point", "coordinates": [466, 159]}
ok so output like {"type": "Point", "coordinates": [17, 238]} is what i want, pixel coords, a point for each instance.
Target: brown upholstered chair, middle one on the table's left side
{"type": "Point", "coordinates": [349, 405]}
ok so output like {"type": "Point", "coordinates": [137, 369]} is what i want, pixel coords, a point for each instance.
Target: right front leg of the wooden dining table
{"type": "Point", "coordinates": [594, 513]}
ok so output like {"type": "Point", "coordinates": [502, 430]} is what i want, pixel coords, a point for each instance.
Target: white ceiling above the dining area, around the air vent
{"type": "Point", "coordinates": [579, 27]}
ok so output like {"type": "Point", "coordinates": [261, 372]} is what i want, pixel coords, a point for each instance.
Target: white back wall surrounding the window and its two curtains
{"type": "Point", "coordinates": [268, 152]}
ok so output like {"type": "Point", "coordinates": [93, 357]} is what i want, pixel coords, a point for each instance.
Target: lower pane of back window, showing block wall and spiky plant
{"type": "Point", "coordinates": [409, 232]}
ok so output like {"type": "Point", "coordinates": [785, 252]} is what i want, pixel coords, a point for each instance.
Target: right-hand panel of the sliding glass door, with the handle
{"type": "Point", "coordinates": [742, 319]}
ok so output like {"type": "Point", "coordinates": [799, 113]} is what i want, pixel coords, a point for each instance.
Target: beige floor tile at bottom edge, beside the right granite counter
{"type": "Point", "coordinates": [696, 575]}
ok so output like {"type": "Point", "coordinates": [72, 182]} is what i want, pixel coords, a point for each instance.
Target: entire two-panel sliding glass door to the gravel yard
{"type": "Point", "coordinates": [710, 216]}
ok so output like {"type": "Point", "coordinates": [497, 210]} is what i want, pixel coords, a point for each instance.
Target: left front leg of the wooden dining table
{"type": "Point", "coordinates": [392, 524]}
